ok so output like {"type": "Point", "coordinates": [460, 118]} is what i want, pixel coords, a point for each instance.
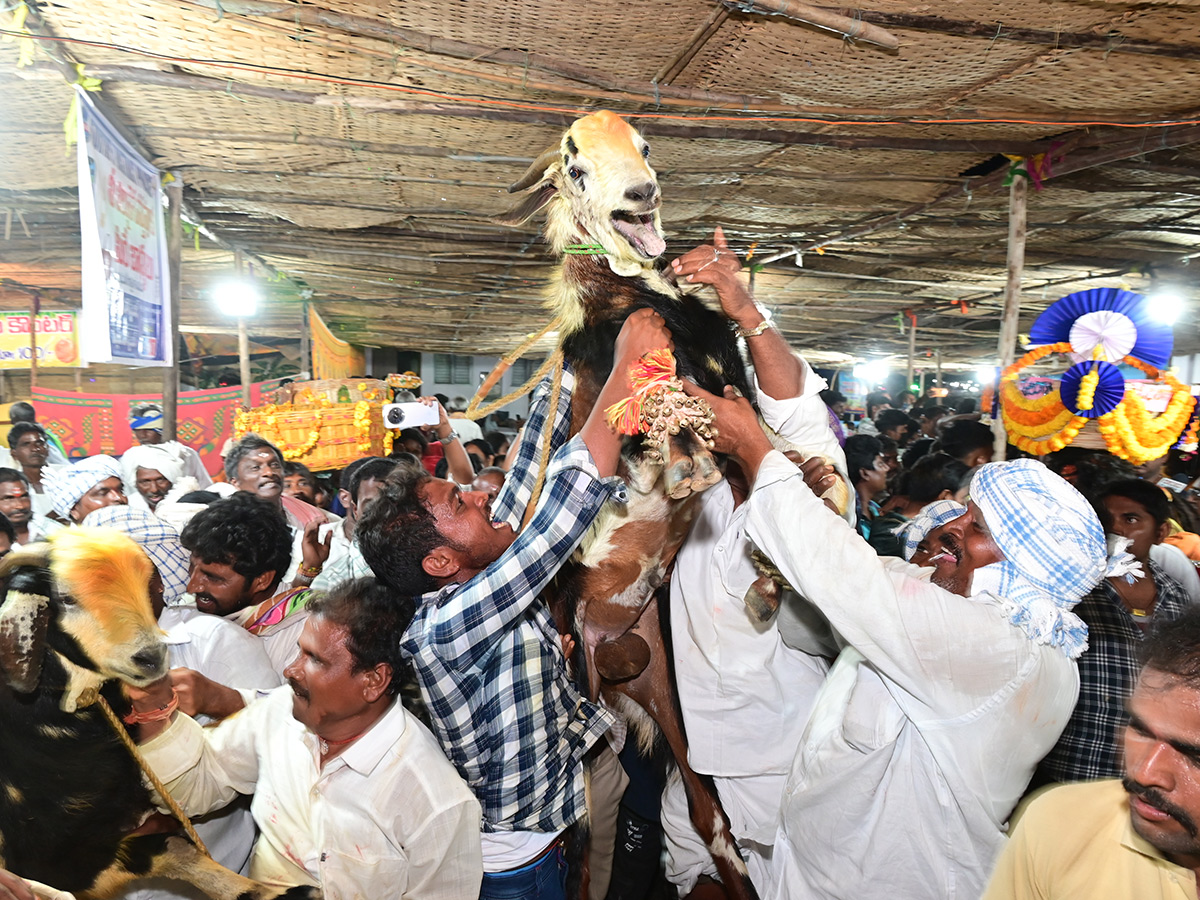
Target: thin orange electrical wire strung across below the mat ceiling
{"type": "Point", "coordinates": [303, 75]}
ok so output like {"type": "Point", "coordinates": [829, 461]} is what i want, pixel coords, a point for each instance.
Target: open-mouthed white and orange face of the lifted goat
{"type": "Point", "coordinates": [608, 190]}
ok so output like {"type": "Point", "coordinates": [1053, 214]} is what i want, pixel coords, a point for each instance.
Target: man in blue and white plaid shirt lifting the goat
{"type": "Point", "coordinates": [485, 649]}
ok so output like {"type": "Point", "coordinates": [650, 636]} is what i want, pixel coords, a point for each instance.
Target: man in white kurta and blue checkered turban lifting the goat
{"type": "Point", "coordinates": [953, 679]}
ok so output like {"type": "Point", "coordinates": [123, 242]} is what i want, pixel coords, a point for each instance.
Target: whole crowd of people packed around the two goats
{"type": "Point", "coordinates": [369, 694]}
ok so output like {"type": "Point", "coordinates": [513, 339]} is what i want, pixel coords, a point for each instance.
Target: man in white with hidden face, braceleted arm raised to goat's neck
{"type": "Point", "coordinates": [745, 693]}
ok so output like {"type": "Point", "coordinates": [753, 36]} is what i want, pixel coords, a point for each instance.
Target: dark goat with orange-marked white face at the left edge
{"type": "Point", "coordinates": [75, 621]}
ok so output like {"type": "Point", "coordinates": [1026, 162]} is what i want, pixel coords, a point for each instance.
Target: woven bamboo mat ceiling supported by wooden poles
{"type": "Point", "coordinates": [355, 152]}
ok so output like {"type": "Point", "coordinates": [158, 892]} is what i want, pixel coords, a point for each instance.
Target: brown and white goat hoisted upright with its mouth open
{"type": "Point", "coordinates": [599, 191]}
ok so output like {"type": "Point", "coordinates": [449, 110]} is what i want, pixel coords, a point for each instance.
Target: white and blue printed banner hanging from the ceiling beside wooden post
{"type": "Point", "coordinates": [127, 293]}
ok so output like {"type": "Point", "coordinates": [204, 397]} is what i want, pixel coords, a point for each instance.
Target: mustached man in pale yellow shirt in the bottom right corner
{"type": "Point", "coordinates": [1136, 837]}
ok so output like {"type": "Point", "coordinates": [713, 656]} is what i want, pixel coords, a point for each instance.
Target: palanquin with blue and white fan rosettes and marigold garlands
{"type": "Point", "coordinates": [1115, 394]}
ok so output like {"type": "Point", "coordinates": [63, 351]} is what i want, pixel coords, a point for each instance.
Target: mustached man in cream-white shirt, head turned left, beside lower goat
{"type": "Point", "coordinates": [351, 793]}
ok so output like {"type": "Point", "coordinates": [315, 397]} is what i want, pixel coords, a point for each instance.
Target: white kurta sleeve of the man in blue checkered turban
{"type": "Point", "coordinates": [947, 652]}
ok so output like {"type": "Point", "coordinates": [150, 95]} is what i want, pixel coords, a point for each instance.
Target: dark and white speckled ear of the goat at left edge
{"type": "Point", "coordinates": [25, 615]}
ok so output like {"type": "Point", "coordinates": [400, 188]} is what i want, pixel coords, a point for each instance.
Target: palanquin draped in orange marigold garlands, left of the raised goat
{"type": "Point", "coordinates": [327, 424]}
